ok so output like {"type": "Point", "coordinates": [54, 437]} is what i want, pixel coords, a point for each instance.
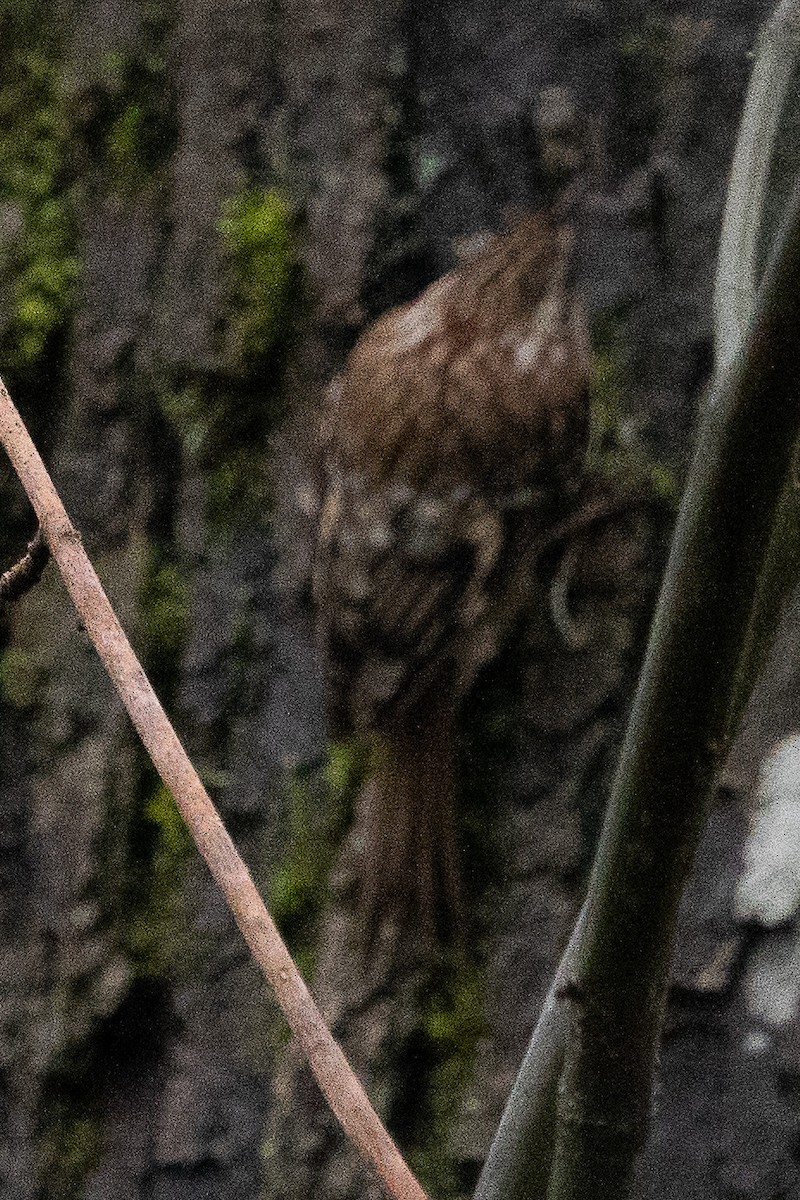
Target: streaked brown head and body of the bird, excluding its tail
{"type": "Point", "coordinates": [456, 431]}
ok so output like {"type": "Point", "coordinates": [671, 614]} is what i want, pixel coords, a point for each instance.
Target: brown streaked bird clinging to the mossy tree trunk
{"type": "Point", "coordinates": [452, 441]}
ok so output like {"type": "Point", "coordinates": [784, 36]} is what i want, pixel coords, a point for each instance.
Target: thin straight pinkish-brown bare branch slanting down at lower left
{"type": "Point", "coordinates": [336, 1079]}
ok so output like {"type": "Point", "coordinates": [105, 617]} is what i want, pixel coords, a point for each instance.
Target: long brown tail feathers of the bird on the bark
{"type": "Point", "coordinates": [412, 877]}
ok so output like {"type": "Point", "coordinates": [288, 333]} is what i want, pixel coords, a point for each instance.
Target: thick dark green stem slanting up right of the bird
{"type": "Point", "coordinates": [677, 741]}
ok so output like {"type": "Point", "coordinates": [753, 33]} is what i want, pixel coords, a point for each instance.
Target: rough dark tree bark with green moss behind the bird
{"type": "Point", "coordinates": [201, 206]}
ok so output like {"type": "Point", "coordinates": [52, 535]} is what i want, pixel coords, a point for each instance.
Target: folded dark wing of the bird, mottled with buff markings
{"type": "Point", "coordinates": [400, 577]}
